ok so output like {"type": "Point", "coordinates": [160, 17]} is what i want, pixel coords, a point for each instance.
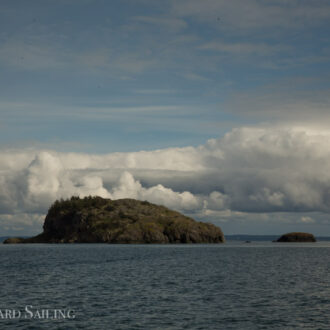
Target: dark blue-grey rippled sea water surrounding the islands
{"type": "Point", "coordinates": [228, 286]}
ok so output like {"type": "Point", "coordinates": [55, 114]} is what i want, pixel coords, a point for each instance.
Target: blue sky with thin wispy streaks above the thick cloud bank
{"type": "Point", "coordinates": [107, 76]}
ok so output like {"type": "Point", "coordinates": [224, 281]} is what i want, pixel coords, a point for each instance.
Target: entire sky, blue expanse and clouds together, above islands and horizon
{"type": "Point", "coordinates": [218, 109]}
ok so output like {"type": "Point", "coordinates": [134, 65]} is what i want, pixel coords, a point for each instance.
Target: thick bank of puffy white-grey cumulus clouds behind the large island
{"type": "Point", "coordinates": [249, 170]}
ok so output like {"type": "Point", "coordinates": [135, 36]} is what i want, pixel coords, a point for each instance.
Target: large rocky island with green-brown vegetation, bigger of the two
{"type": "Point", "coordinates": [98, 220]}
